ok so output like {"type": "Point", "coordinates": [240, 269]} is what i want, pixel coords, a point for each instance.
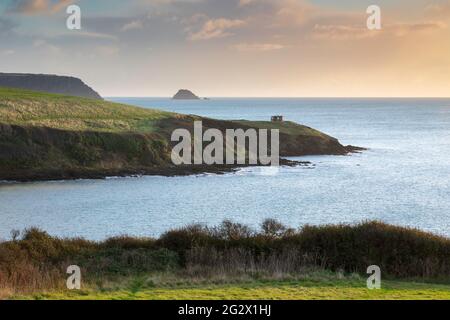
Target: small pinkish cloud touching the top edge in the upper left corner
{"type": "Point", "coordinates": [32, 7]}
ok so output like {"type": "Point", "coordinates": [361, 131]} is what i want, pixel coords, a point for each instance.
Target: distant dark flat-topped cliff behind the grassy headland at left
{"type": "Point", "coordinates": [48, 83]}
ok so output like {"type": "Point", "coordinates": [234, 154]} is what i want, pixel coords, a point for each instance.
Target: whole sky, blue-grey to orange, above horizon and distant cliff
{"type": "Point", "coordinates": [234, 48]}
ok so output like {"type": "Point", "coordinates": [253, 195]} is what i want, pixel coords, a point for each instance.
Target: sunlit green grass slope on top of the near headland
{"type": "Point", "coordinates": [23, 107]}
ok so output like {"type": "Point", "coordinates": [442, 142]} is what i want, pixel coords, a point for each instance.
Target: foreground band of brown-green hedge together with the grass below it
{"type": "Point", "coordinates": [232, 261]}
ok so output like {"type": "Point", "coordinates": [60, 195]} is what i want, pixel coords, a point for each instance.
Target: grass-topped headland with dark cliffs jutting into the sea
{"type": "Point", "coordinates": [49, 136]}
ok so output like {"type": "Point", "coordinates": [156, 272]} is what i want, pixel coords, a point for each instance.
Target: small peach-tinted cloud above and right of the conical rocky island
{"type": "Point", "coordinates": [216, 28]}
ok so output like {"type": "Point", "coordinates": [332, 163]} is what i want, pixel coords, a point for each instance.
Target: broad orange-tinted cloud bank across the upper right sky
{"type": "Point", "coordinates": [301, 18]}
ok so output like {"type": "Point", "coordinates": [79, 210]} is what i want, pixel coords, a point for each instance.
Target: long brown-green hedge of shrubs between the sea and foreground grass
{"type": "Point", "coordinates": [38, 261]}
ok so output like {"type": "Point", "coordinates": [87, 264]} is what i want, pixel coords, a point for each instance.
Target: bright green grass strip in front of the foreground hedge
{"type": "Point", "coordinates": [313, 287]}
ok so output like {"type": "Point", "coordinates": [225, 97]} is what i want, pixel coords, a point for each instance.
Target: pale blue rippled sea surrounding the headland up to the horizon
{"type": "Point", "coordinates": [403, 178]}
